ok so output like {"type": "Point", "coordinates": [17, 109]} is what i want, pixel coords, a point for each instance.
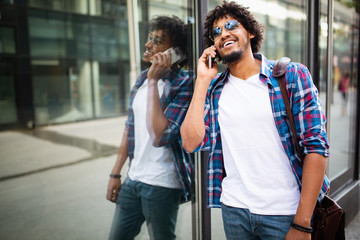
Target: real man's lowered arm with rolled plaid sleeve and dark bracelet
{"type": "Point", "coordinates": [313, 141]}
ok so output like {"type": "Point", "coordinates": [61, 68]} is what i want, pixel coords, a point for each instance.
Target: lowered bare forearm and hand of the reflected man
{"type": "Point", "coordinates": [115, 183]}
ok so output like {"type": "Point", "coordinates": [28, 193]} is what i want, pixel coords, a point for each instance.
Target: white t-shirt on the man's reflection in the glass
{"type": "Point", "coordinates": [151, 165]}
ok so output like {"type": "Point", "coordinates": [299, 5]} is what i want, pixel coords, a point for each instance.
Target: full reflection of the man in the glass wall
{"type": "Point", "coordinates": [158, 104]}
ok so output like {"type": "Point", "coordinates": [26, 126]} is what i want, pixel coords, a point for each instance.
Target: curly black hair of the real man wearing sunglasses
{"type": "Point", "coordinates": [242, 15]}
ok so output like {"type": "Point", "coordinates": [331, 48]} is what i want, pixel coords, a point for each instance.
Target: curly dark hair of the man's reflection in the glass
{"type": "Point", "coordinates": [174, 28]}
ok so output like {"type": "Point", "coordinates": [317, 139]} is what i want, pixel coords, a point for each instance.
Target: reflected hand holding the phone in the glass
{"type": "Point", "coordinates": [160, 66]}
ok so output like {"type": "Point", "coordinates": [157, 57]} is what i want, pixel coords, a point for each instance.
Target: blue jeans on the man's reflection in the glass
{"type": "Point", "coordinates": [138, 202]}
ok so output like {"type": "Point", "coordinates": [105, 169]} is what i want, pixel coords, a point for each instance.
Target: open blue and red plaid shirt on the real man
{"type": "Point", "coordinates": [308, 116]}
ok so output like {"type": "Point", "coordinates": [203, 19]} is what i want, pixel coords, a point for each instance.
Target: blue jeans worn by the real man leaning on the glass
{"type": "Point", "coordinates": [239, 223]}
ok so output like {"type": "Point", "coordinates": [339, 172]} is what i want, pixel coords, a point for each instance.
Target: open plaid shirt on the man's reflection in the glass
{"type": "Point", "coordinates": [175, 101]}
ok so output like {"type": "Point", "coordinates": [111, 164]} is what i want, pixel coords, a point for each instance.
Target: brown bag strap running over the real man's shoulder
{"type": "Point", "coordinates": [279, 71]}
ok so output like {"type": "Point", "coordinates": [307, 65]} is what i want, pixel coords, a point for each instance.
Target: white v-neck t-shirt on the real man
{"type": "Point", "coordinates": [258, 171]}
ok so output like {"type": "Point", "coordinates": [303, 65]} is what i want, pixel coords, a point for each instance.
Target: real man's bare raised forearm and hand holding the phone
{"type": "Point", "coordinates": [193, 128]}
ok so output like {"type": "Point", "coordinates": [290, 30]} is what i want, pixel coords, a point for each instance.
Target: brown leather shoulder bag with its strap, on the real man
{"type": "Point", "coordinates": [328, 221]}
